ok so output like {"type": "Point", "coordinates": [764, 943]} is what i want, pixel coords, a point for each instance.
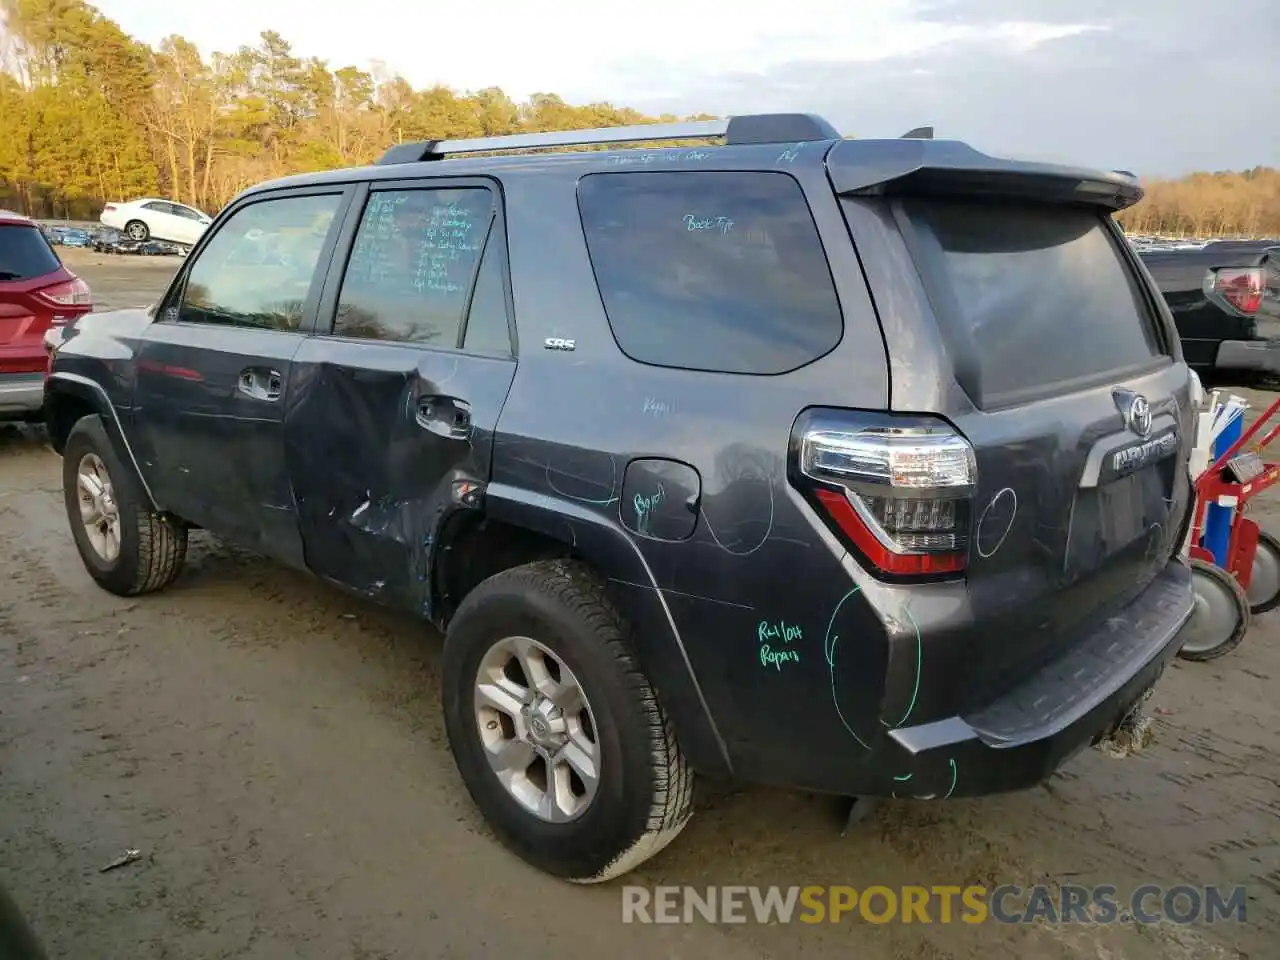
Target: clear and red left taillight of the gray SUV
{"type": "Point", "coordinates": [900, 495]}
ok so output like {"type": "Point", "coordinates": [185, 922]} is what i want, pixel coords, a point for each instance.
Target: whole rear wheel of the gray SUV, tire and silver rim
{"type": "Point", "coordinates": [556, 732]}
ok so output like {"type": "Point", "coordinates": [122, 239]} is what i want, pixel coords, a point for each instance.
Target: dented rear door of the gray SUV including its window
{"type": "Point", "coordinates": [395, 400]}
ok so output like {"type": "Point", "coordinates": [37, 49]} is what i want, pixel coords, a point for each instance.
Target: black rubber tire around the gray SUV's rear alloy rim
{"type": "Point", "coordinates": [643, 796]}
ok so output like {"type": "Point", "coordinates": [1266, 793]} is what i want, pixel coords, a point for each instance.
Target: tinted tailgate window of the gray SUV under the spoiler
{"type": "Point", "coordinates": [1037, 295]}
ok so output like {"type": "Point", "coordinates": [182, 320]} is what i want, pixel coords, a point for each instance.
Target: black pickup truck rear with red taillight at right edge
{"type": "Point", "coordinates": [1226, 301]}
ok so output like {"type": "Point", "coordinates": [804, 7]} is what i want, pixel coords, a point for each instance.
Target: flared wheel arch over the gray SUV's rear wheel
{"type": "Point", "coordinates": [520, 527]}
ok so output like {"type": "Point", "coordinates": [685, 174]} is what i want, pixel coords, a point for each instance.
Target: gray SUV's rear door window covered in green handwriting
{"type": "Point", "coordinates": [413, 268]}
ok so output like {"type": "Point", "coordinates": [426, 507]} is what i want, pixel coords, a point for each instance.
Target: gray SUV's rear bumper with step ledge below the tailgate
{"type": "Point", "coordinates": [1021, 739]}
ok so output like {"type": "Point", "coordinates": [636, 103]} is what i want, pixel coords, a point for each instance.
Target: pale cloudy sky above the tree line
{"type": "Point", "coordinates": [1162, 88]}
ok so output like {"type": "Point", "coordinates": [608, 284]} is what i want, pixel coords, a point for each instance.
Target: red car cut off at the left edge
{"type": "Point", "coordinates": [36, 295]}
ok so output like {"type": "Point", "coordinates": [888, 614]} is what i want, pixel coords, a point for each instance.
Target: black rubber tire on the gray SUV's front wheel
{"type": "Point", "coordinates": [150, 547]}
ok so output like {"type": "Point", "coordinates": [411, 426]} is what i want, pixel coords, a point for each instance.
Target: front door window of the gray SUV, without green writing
{"type": "Point", "coordinates": [258, 269]}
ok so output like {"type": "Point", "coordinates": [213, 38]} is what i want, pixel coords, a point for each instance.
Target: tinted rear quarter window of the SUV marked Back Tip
{"type": "Point", "coordinates": [705, 271]}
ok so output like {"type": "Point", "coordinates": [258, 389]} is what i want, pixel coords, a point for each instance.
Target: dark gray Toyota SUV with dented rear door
{"type": "Point", "coordinates": [858, 467]}
